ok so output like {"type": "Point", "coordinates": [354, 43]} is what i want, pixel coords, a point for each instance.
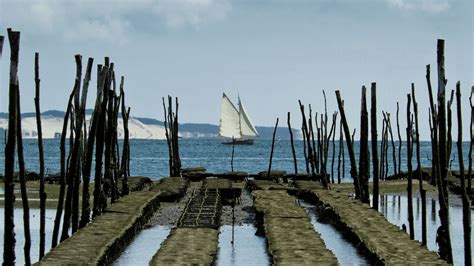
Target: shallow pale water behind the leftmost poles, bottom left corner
{"type": "Point", "coordinates": [34, 232]}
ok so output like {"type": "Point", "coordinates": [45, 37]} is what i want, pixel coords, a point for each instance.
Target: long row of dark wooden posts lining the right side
{"type": "Point", "coordinates": [316, 153]}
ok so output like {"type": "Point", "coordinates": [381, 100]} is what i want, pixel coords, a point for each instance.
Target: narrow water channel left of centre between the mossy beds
{"type": "Point", "coordinates": [144, 246]}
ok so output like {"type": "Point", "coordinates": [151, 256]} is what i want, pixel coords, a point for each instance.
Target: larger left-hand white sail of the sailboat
{"type": "Point", "coordinates": [230, 120]}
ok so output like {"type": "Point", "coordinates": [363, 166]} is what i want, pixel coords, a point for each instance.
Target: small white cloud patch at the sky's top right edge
{"type": "Point", "coordinates": [429, 6]}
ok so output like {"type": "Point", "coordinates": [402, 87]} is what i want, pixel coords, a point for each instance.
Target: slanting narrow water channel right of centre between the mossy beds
{"type": "Point", "coordinates": [346, 253]}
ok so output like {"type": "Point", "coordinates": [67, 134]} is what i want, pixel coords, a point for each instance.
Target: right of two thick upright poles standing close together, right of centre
{"type": "Point", "coordinates": [375, 156]}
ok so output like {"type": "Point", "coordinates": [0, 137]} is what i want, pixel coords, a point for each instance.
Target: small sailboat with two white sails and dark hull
{"type": "Point", "coordinates": [235, 123]}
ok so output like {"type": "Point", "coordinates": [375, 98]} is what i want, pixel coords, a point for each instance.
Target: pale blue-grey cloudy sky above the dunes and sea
{"type": "Point", "coordinates": [270, 52]}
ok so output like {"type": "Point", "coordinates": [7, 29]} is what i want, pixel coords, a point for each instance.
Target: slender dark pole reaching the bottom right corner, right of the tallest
{"type": "Point", "coordinates": [466, 203]}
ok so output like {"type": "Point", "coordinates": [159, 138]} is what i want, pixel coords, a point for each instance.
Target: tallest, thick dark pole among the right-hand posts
{"type": "Point", "coordinates": [445, 250]}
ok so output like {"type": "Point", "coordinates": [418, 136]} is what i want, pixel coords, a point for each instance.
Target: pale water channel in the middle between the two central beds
{"type": "Point", "coordinates": [248, 248]}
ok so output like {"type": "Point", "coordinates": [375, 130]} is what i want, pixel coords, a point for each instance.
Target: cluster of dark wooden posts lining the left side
{"type": "Point", "coordinates": [100, 136]}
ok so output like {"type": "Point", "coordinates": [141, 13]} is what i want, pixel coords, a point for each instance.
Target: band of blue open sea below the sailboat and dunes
{"type": "Point", "coordinates": [150, 157]}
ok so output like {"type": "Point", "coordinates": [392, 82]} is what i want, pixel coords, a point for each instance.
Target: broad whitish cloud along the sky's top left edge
{"type": "Point", "coordinates": [107, 20]}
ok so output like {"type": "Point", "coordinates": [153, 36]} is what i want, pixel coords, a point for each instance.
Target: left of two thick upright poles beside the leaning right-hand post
{"type": "Point", "coordinates": [364, 164]}
